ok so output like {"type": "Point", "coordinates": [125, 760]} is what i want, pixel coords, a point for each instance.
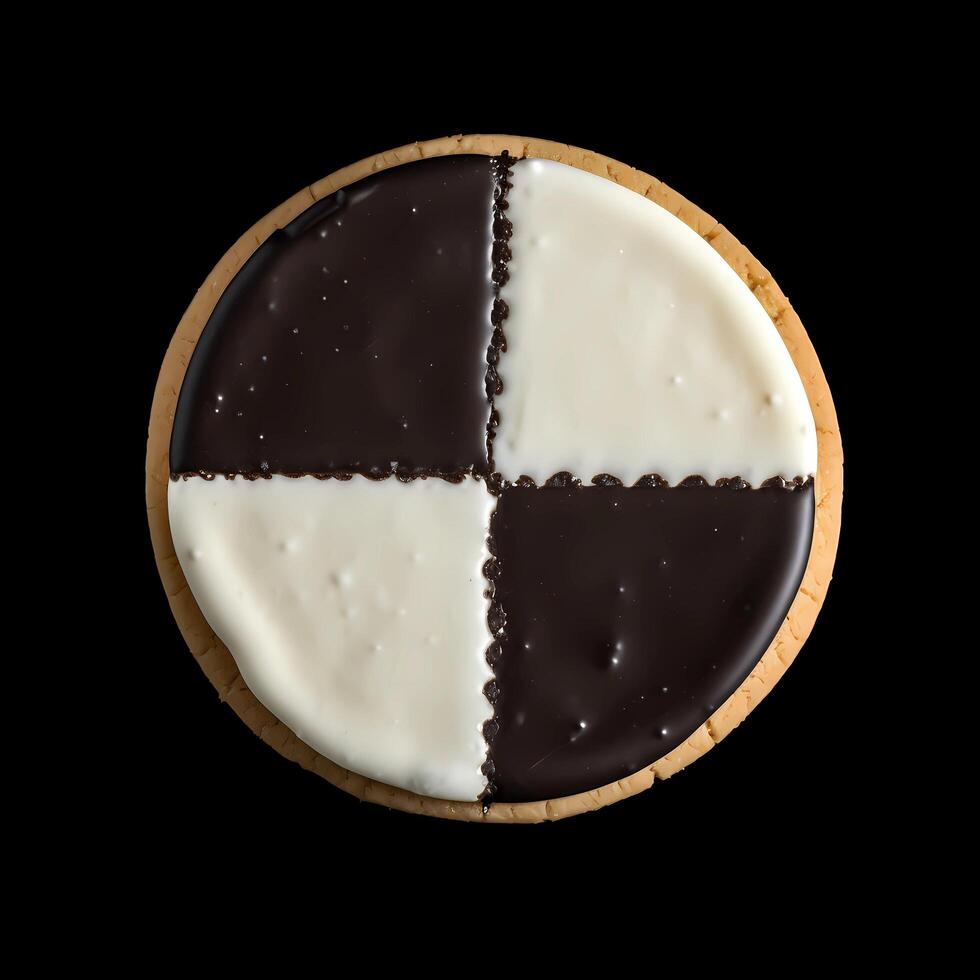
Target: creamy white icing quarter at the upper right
{"type": "Point", "coordinates": [633, 348]}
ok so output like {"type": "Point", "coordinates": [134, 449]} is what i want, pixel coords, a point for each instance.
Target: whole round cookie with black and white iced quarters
{"type": "Point", "coordinates": [492, 479]}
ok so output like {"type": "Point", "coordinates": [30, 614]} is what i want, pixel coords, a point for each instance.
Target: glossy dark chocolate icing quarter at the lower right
{"type": "Point", "coordinates": [624, 617]}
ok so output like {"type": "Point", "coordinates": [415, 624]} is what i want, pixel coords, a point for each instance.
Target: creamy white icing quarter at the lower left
{"type": "Point", "coordinates": [355, 611]}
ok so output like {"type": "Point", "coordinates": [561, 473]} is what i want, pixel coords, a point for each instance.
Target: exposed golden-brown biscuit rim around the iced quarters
{"type": "Point", "coordinates": [221, 668]}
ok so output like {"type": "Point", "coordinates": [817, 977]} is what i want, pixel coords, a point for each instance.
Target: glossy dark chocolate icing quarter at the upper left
{"type": "Point", "coordinates": [356, 338]}
